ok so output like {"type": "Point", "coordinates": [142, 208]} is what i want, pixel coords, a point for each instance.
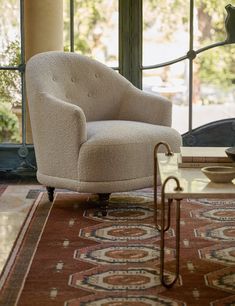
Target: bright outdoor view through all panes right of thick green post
{"type": "Point", "coordinates": [166, 37]}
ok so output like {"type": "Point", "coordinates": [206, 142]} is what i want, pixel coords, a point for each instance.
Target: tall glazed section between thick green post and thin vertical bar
{"type": "Point", "coordinates": [166, 37]}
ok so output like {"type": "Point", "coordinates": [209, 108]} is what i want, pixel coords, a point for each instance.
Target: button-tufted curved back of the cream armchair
{"type": "Point", "coordinates": [79, 80]}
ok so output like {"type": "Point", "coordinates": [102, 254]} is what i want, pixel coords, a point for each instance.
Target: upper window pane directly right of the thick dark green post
{"type": "Point", "coordinates": [165, 30]}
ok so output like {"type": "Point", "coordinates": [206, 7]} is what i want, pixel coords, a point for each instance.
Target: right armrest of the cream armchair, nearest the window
{"type": "Point", "coordinates": [137, 105]}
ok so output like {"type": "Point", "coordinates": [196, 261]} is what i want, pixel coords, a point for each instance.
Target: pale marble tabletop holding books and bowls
{"type": "Point", "coordinates": [194, 183]}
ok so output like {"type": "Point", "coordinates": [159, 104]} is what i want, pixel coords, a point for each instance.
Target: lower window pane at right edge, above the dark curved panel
{"type": "Point", "coordinates": [214, 78]}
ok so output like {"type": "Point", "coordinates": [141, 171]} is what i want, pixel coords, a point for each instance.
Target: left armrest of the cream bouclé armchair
{"type": "Point", "coordinates": [59, 129]}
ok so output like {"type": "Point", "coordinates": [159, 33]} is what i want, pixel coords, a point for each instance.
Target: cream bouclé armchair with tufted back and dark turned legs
{"type": "Point", "coordinates": [93, 131]}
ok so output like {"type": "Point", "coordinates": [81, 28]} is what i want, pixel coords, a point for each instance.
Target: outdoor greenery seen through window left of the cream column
{"type": "Point", "coordinates": [10, 82]}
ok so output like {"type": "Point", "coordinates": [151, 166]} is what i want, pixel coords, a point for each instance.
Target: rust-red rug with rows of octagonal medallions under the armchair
{"type": "Point", "coordinates": [72, 256]}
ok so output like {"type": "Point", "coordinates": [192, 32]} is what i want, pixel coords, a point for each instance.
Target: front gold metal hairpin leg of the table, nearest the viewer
{"type": "Point", "coordinates": [163, 229]}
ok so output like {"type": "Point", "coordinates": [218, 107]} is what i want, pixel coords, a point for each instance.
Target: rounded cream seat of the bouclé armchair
{"type": "Point", "coordinates": [118, 150]}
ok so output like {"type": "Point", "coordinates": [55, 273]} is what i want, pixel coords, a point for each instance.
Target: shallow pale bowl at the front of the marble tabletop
{"type": "Point", "coordinates": [219, 174]}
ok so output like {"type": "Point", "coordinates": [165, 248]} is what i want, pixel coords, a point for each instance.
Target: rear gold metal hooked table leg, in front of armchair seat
{"type": "Point", "coordinates": [169, 153]}
